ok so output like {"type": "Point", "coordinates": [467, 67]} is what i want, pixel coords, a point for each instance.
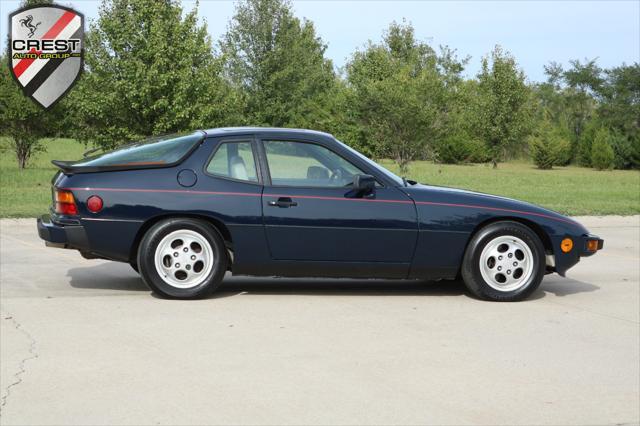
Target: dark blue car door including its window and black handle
{"type": "Point", "coordinates": [310, 213]}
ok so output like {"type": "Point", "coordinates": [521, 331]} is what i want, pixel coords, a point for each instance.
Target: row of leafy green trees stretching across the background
{"type": "Point", "coordinates": [151, 68]}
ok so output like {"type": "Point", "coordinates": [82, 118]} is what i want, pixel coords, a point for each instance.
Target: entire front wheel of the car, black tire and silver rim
{"type": "Point", "coordinates": [504, 262]}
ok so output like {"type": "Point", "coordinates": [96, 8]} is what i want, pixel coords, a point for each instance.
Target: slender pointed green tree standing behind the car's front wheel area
{"type": "Point", "coordinates": [503, 110]}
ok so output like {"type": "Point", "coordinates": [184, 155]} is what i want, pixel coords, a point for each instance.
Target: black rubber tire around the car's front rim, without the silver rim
{"type": "Point", "coordinates": [471, 264]}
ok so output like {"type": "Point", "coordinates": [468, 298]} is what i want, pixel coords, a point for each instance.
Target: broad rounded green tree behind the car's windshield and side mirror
{"type": "Point", "coordinates": [399, 95]}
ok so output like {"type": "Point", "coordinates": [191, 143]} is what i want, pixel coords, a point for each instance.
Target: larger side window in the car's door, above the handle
{"type": "Point", "coordinates": [307, 164]}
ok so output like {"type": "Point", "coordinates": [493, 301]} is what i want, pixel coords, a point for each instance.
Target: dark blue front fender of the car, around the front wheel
{"type": "Point", "coordinates": [448, 218]}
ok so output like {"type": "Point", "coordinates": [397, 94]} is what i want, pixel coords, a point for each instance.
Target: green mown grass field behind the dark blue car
{"type": "Point", "coordinates": [569, 190]}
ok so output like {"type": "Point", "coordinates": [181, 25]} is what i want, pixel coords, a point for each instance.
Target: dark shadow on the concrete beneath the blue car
{"type": "Point", "coordinates": [120, 277]}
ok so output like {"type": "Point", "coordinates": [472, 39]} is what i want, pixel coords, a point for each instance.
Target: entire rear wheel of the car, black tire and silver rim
{"type": "Point", "coordinates": [182, 258]}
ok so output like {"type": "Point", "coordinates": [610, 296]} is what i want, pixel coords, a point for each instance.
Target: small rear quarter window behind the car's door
{"type": "Point", "coordinates": [234, 160]}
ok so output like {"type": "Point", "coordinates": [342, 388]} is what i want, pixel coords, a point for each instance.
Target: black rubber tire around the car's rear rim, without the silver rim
{"type": "Point", "coordinates": [147, 251]}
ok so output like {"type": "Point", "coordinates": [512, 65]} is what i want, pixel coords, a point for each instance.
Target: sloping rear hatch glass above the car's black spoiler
{"type": "Point", "coordinates": [160, 150]}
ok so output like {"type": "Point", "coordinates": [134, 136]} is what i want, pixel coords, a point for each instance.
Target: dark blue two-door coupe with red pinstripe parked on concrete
{"type": "Point", "coordinates": [184, 209]}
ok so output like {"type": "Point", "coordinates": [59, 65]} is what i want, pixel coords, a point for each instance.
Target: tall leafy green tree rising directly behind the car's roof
{"type": "Point", "coordinates": [278, 64]}
